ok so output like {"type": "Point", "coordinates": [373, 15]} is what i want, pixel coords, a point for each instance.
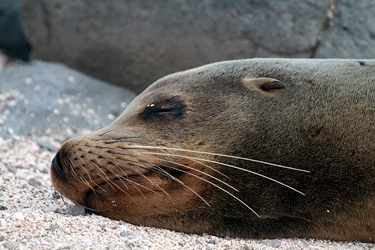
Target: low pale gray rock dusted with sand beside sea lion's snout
{"type": "Point", "coordinates": [40, 96]}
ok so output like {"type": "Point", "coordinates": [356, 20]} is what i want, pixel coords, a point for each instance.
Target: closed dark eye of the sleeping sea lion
{"type": "Point", "coordinates": [171, 107]}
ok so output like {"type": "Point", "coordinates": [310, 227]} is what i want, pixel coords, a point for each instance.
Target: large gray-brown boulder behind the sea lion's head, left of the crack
{"type": "Point", "coordinates": [134, 43]}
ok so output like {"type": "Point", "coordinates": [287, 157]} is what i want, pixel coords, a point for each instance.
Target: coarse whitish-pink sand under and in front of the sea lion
{"type": "Point", "coordinates": [32, 217]}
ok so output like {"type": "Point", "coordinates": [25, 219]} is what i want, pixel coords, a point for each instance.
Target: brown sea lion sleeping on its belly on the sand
{"type": "Point", "coordinates": [258, 148]}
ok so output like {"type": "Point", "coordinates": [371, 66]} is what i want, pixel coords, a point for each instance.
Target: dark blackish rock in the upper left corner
{"type": "Point", "coordinates": [12, 39]}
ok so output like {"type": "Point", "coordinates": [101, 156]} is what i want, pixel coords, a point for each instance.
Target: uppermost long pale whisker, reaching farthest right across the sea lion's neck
{"type": "Point", "coordinates": [216, 154]}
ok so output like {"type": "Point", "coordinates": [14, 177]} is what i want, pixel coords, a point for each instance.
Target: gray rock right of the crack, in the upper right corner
{"type": "Point", "coordinates": [351, 32]}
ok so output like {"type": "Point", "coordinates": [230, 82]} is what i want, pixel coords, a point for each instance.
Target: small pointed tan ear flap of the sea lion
{"type": "Point", "coordinates": [263, 84]}
